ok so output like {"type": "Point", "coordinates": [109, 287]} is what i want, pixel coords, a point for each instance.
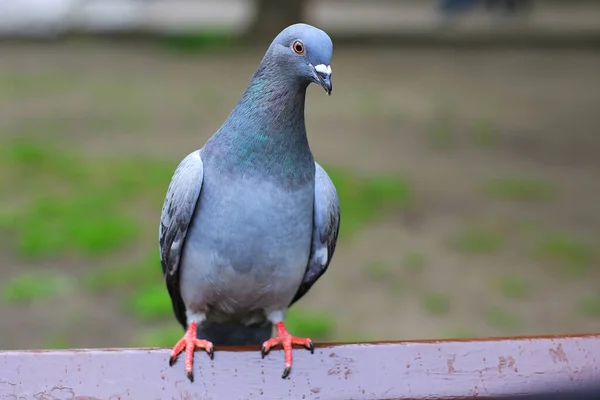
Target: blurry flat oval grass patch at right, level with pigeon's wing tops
{"type": "Point", "coordinates": [515, 188]}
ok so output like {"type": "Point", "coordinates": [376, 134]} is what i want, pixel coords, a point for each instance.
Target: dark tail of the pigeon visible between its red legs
{"type": "Point", "coordinates": [235, 333]}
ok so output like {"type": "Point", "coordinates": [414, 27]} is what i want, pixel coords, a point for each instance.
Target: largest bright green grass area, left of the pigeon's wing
{"type": "Point", "coordinates": [70, 205]}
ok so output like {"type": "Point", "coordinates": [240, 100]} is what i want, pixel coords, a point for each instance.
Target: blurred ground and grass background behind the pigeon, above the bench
{"type": "Point", "coordinates": [463, 137]}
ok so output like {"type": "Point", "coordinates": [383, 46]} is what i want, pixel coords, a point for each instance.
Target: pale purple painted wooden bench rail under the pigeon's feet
{"type": "Point", "coordinates": [447, 369]}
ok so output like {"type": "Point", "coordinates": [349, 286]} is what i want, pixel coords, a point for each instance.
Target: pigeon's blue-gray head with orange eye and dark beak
{"type": "Point", "coordinates": [304, 53]}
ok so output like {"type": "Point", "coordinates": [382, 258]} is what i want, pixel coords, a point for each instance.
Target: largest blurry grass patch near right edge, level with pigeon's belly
{"type": "Point", "coordinates": [572, 254]}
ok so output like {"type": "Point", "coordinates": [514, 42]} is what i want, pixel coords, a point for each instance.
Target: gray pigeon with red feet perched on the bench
{"type": "Point", "coordinates": [250, 221]}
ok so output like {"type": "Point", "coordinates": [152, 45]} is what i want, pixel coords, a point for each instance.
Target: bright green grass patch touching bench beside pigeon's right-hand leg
{"type": "Point", "coordinates": [318, 326]}
